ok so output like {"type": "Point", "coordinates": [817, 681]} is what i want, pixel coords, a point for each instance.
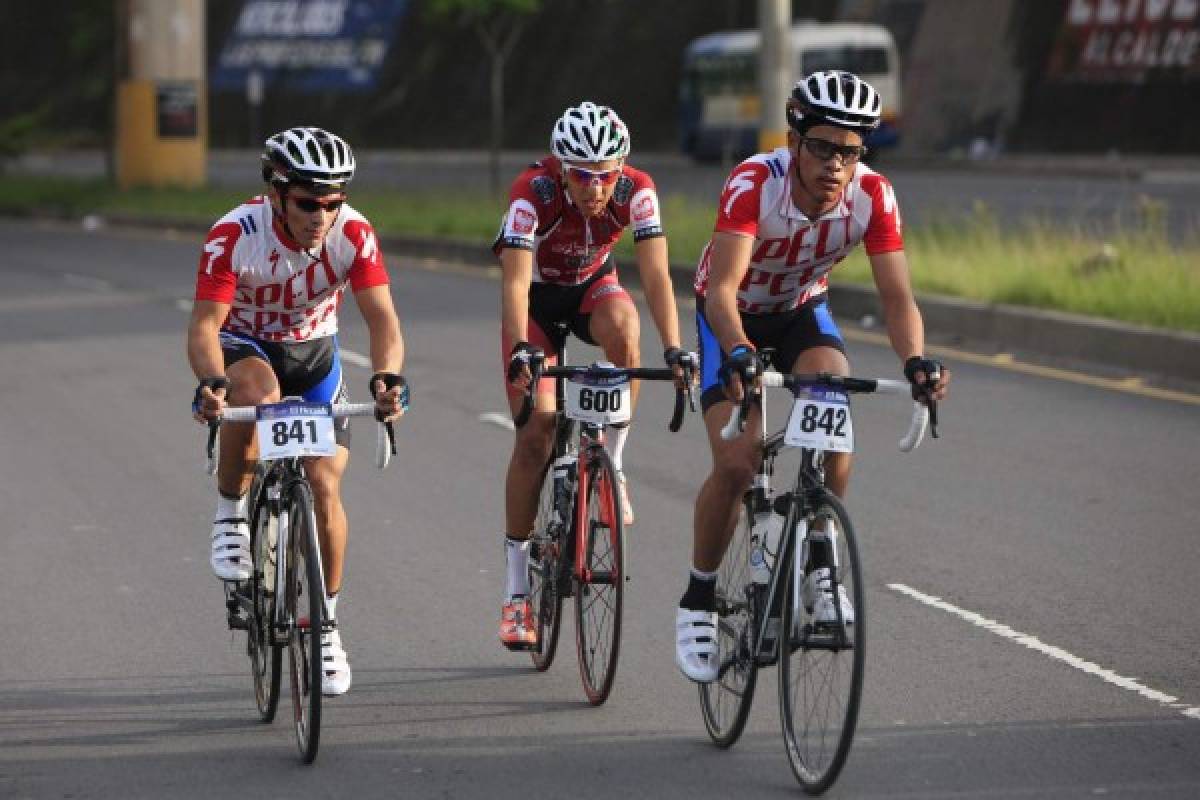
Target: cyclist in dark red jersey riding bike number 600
{"type": "Point", "coordinates": [566, 214]}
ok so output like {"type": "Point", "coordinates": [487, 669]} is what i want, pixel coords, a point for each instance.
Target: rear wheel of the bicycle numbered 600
{"type": "Point", "coordinates": [545, 555]}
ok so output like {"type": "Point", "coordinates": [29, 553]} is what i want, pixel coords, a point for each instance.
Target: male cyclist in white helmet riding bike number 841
{"type": "Point", "coordinates": [265, 327]}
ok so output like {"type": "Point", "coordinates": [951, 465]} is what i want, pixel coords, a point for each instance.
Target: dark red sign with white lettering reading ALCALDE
{"type": "Point", "coordinates": [1129, 43]}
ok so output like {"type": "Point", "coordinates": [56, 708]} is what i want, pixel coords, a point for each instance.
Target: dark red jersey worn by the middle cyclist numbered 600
{"type": "Point", "coordinates": [569, 248]}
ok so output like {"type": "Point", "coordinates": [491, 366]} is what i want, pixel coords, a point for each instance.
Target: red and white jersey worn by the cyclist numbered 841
{"type": "Point", "coordinates": [278, 292]}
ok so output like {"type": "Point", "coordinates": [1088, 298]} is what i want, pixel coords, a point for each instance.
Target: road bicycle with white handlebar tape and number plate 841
{"type": "Point", "coordinates": [283, 604]}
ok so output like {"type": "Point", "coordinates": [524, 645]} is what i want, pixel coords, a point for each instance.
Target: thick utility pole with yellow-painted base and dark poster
{"type": "Point", "coordinates": [163, 94]}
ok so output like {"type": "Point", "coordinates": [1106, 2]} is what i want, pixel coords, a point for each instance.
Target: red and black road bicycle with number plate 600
{"type": "Point", "coordinates": [578, 545]}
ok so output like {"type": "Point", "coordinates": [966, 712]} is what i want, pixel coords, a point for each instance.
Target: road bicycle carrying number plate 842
{"type": "Point", "coordinates": [788, 551]}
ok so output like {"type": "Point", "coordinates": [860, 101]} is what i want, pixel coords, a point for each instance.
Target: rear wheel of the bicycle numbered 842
{"type": "Point", "coordinates": [727, 701]}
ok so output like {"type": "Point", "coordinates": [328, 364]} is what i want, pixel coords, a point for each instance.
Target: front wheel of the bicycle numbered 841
{"type": "Point", "coordinates": [305, 607]}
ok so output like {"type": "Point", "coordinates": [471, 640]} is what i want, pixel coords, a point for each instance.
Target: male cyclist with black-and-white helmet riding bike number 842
{"type": "Point", "coordinates": [785, 220]}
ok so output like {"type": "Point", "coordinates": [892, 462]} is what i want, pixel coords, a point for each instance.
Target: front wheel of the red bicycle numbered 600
{"type": "Point", "coordinates": [599, 593]}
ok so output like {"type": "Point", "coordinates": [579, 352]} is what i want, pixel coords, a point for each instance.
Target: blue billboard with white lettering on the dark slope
{"type": "Point", "coordinates": [308, 45]}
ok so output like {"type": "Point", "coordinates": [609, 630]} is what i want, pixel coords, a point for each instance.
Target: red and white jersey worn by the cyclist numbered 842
{"type": "Point", "coordinates": [793, 255]}
